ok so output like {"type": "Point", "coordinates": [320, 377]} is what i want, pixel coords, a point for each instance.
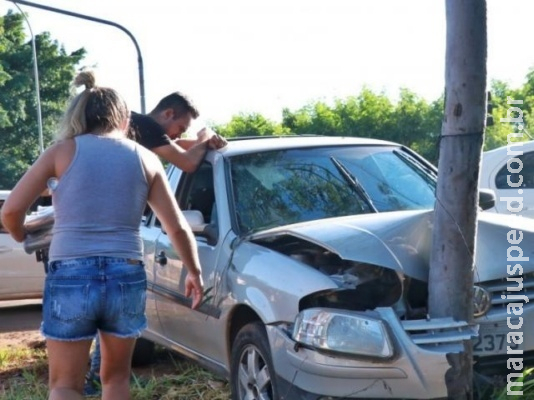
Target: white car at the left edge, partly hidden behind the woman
{"type": "Point", "coordinates": [21, 275]}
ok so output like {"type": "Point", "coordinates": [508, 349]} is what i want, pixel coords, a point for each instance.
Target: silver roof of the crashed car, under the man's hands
{"type": "Point", "coordinates": [251, 144]}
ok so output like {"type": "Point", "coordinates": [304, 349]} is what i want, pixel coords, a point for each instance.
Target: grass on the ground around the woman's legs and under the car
{"type": "Point", "coordinates": [24, 374]}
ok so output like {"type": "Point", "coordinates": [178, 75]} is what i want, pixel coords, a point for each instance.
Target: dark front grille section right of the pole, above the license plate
{"type": "Point", "coordinates": [499, 288]}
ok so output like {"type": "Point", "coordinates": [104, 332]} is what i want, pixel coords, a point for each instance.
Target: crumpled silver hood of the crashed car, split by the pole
{"type": "Point", "coordinates": [401, 240]}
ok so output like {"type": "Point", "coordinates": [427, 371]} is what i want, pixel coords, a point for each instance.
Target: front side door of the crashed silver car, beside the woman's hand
{"type": "Point", "coordinates": [194, 330]}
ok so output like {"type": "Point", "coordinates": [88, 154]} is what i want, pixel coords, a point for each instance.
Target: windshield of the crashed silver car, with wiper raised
{"type": "Point", "coordinates": [276, 188]}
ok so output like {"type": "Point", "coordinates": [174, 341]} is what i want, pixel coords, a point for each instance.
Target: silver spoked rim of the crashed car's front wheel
{"type": "Point", "coordinates": [254, 377]}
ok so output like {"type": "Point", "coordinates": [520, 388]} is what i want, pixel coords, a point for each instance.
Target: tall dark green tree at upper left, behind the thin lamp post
{"type": "Point", "coordinates": [19, 142]}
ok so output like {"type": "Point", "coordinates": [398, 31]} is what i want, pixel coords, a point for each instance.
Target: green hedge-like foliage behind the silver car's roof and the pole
{"type": "Point", "coordinates": [411, 120]}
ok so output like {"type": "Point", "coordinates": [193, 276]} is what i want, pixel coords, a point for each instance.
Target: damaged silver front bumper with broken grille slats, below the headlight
{"type": "Point", "coordinates": [417, 369]}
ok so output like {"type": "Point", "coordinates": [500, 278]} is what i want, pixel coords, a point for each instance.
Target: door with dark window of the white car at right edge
{"type": "Point", "coordinates": [513, 183]}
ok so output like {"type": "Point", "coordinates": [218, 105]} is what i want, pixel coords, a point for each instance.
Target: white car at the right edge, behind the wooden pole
{"type": "Point", "coordinates": [512, 181]}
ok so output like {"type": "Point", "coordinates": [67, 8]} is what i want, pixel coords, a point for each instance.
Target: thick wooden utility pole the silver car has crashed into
{"type": "Point", "coordinates": [455, 216]}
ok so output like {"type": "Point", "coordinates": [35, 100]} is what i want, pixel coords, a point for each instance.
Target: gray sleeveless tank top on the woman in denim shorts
{"type": "Point", "coordinates": [99, 201]}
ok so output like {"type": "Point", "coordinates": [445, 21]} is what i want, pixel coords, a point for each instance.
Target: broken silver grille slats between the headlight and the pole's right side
{"type": "Point", "coordinates": [439, 334]}
